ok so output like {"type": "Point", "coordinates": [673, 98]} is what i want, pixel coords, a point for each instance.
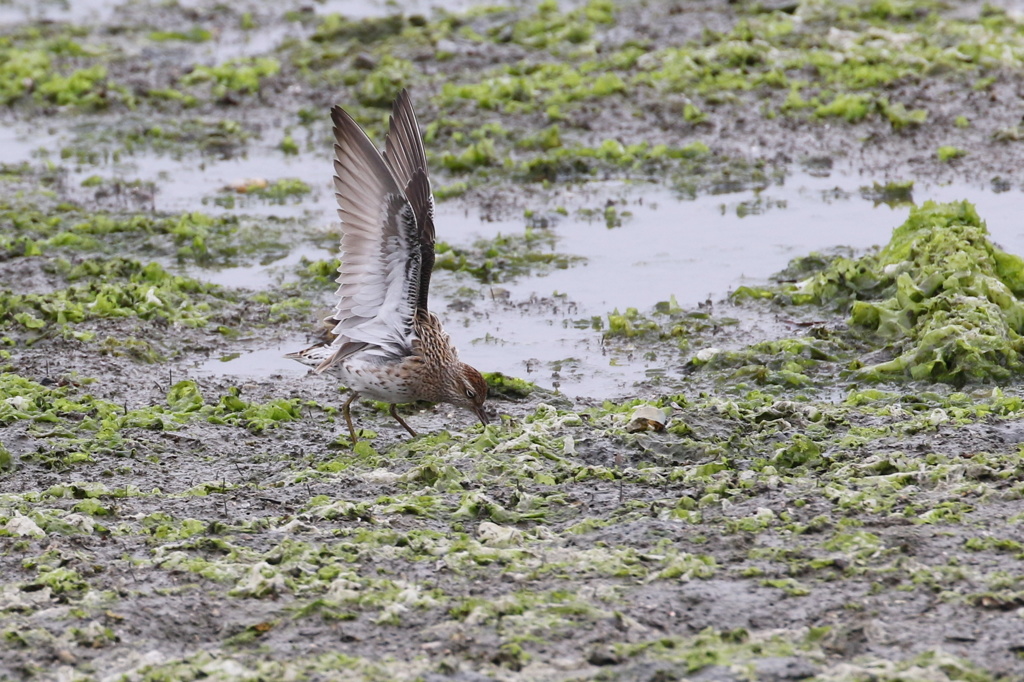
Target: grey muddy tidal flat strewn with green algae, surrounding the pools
{"type": "Point", "coordinates": [842, 502]}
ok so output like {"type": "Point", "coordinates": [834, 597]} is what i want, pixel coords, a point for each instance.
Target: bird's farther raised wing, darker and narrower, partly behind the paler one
{"type": "Point", "coordinates": [404, 154]}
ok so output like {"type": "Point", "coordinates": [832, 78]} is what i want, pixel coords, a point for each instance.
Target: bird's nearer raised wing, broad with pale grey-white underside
{"type": "Point", "coordinates": [380, 273]}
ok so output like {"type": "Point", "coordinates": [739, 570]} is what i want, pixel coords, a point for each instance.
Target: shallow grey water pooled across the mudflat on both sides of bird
{"type": "Point", "coordinates": [692, 249]}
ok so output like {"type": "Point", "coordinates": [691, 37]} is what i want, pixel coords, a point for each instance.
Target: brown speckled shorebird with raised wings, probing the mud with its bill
{"type": "Point", "coordinates": [387, 345]}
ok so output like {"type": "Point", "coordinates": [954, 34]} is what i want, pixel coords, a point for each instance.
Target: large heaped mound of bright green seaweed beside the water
{"type": "Point", "coordinates": [942, 296]}
